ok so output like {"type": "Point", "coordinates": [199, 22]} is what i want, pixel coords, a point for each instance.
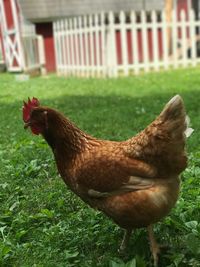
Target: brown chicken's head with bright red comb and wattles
{"type": "Point", "coordinates": [34, 116]}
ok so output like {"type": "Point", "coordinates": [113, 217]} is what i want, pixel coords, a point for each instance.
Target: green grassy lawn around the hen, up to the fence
{"type": "Point", "coordinates": [42, 223]}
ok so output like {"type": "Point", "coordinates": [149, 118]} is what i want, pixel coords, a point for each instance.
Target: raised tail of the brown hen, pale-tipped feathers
{"type": "Point", "coordinates": [162, 143]}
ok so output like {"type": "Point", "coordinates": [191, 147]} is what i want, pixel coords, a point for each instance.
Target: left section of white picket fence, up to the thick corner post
{"type": "Point", "coordinates": [80, 45]}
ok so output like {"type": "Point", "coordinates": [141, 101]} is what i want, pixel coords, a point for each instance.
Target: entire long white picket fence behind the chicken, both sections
{"type": "Point", "coordinates": [112, 45]}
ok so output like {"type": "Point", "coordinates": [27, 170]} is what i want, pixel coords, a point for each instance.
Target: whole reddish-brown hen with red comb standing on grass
{"type": "Point", "coordinates": [135, 182]}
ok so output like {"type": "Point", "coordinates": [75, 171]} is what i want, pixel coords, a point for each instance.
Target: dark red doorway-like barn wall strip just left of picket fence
{"type": "Point", "coordinates": [46, 30]}
